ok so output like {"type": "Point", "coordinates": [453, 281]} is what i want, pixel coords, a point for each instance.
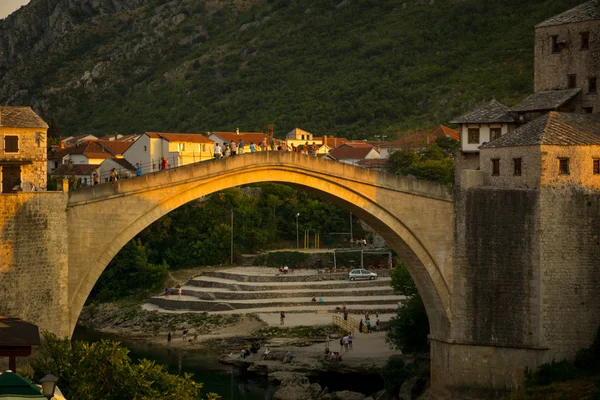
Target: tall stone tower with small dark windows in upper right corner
{"type": "Point", "coordinates": [567, 55]}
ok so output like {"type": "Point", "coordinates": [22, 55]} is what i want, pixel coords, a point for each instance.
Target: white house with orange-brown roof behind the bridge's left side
{"type": "Point", "coordinates": [177, 148]}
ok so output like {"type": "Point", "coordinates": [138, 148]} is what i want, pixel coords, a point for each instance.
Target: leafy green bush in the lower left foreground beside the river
{"type": "Point", "coordinates": [86, 371]}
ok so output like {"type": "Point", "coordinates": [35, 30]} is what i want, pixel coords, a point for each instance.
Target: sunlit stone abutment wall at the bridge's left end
{"type": "Point", "coordinates": [33, 259]}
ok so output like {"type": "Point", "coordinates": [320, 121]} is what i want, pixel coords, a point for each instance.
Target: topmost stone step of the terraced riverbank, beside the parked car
{"type": "Point", "coordinates": [290, 277]}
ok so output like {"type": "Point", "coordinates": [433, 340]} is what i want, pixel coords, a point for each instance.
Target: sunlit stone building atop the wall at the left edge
{"type": "Point", "coordinates": [23, 150]}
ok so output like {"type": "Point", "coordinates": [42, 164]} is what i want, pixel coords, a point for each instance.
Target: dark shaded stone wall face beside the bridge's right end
{"type": "Point", "coordinates": [496, 267]}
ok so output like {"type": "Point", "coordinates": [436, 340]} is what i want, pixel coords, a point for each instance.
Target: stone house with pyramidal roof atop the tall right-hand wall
{"type": "Point", "coordinates": [555, 149]}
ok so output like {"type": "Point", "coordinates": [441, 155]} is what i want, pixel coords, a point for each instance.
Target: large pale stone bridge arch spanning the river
{"type": "Point", "coordinates": [415, 217]}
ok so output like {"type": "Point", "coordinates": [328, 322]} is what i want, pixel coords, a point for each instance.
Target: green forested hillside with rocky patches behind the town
{"type": "Point", "coordinates": [353, 68]}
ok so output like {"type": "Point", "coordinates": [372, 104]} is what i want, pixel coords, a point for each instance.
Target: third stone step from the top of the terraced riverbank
{"type": "Point", "coordinates": [224, 294]}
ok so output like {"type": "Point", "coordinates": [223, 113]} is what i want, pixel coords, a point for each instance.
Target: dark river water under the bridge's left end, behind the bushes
{"type": "Point", "coordinates": [229, 382]}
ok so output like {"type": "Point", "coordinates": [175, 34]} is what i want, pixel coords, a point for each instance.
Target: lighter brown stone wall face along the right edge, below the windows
{"type": "Point", "coordinates": [570, 269]}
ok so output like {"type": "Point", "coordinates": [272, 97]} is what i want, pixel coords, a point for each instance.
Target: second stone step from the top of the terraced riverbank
{"type": "Point", "coordinates": [205, 281]}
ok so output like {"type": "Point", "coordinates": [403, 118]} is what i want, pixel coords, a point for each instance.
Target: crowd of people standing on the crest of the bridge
{"type": "Point", "coordinates": [230, 149]}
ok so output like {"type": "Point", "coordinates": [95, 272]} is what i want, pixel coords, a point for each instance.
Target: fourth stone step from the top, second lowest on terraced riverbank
{"type": "Point", "coordinates": [193, 303]}
